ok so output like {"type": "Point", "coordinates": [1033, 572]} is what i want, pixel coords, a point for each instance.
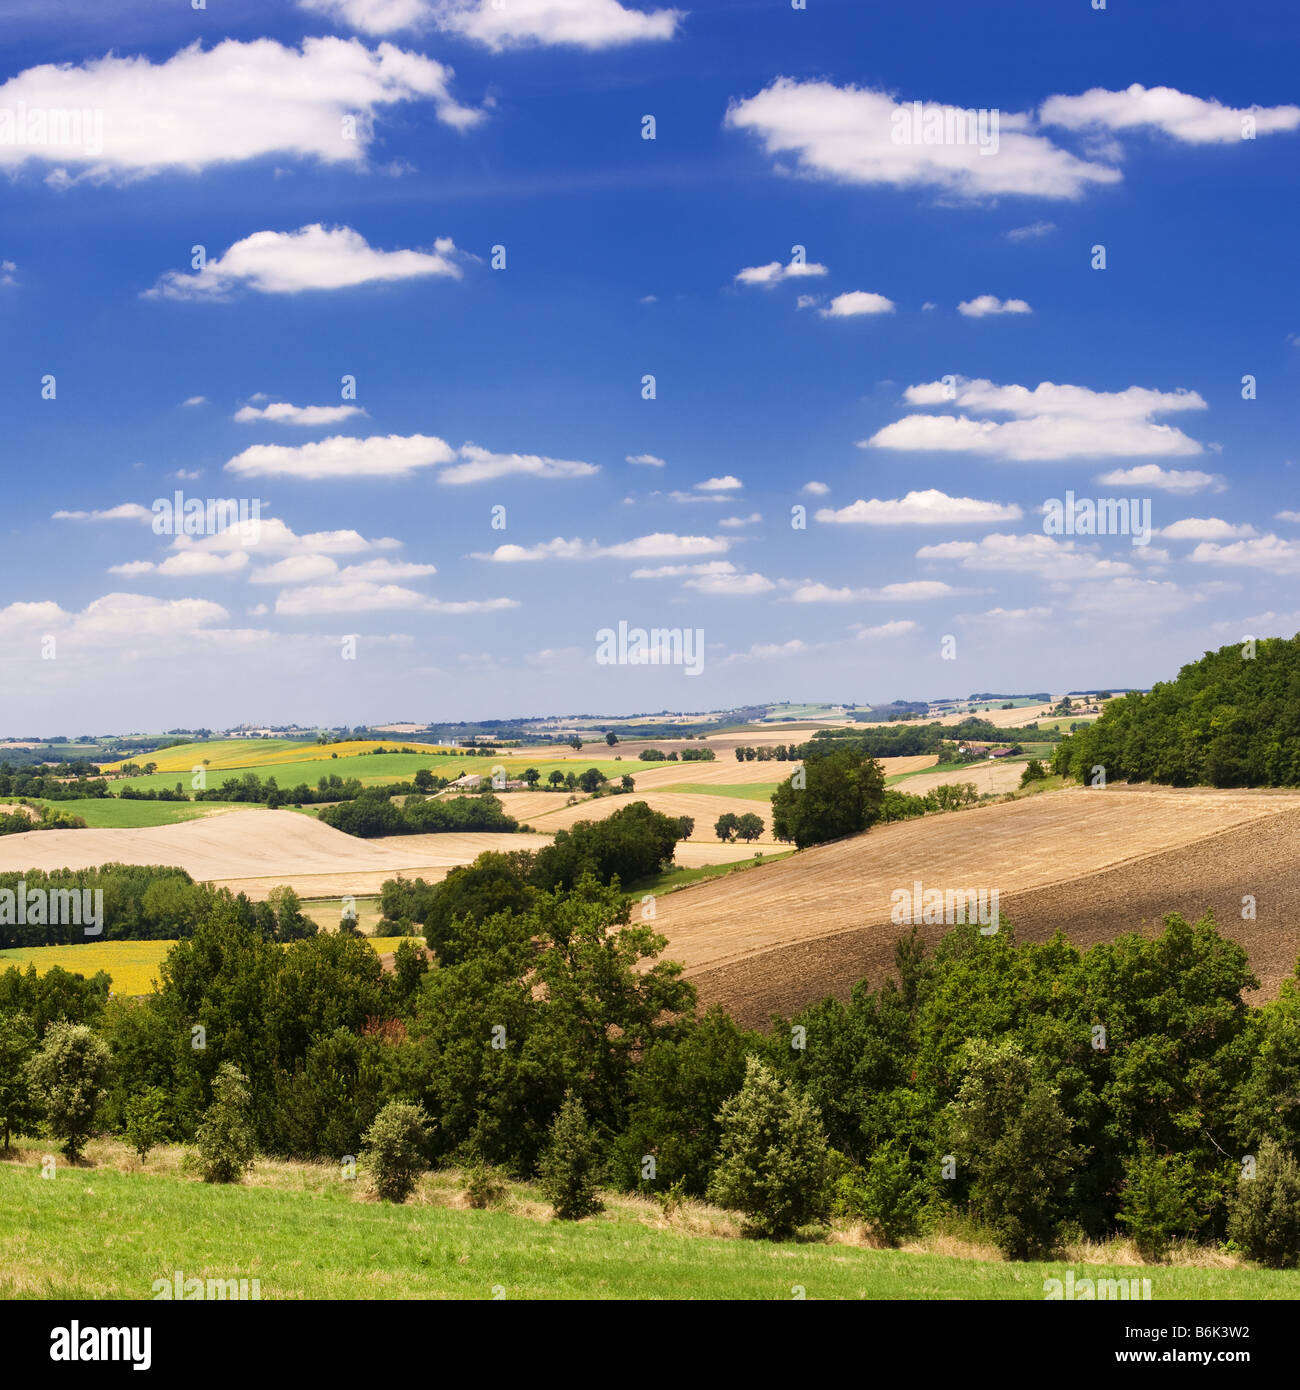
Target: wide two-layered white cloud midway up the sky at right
{"type": "Point", "coordinates": [1053, 422]}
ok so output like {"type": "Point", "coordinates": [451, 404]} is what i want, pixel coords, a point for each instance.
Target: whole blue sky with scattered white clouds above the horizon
{"type": "Point", "coordinates": [945, 363]}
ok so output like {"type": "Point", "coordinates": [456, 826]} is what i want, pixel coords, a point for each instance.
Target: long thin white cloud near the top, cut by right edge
{"type": "Point", "coordinates": [1189, 119]}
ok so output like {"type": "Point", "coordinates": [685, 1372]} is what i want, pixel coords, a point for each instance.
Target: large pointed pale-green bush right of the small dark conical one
{"type": "Point", "coordinates": [772, 1163]}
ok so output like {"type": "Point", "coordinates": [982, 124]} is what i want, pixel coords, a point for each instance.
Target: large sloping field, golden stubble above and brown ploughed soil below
{"type": "Point", "coordinates": [783, 936]}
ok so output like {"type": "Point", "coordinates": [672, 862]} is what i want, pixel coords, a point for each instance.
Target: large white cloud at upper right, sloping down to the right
{"type": "Point", "coordinates": [847, 134]}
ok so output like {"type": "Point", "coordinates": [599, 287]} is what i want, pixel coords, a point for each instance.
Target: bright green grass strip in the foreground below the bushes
{"type": "Point", "coordinates": [102, 1232]}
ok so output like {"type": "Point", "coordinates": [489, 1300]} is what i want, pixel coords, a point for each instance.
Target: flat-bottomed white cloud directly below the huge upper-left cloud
{"type": "Point", "coordinates": [314, 258]}
